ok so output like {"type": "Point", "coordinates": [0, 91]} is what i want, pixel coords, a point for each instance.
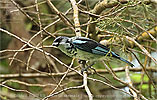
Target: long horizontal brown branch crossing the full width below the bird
{"type": "Point", "coordinates": [70, 74]}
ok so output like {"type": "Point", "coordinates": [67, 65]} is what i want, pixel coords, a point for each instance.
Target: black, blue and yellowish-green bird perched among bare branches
{"type": "Point", "coordinates": [85, 49]}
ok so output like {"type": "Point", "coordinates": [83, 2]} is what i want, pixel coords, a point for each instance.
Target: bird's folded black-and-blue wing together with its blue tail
{"type": "Point", "coordinates": [94, 47]}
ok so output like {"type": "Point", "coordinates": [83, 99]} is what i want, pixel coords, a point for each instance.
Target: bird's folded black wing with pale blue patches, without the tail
{"type": "Point", "coordinates": [91, 46]}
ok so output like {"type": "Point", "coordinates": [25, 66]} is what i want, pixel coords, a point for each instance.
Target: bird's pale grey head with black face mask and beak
{"type": "Point", "coordinates": [59, 40]}
